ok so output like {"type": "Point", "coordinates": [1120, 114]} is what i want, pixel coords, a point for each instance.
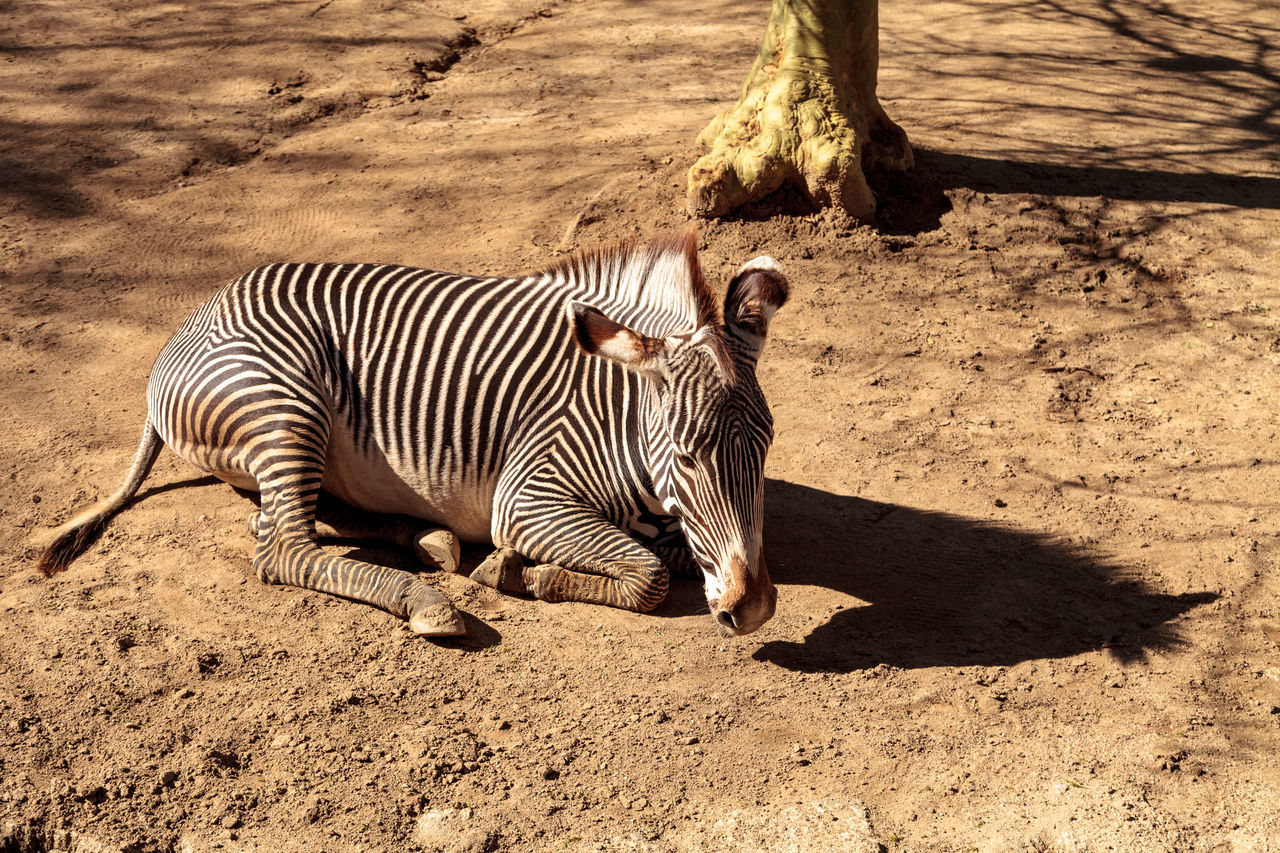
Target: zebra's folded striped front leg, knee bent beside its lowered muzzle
{"type": "Point", "coordinates": [584, 558]}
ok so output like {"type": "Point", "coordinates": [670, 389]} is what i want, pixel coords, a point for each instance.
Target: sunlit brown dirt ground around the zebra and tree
{"type": "Point", "coordinates": [1022, 507]}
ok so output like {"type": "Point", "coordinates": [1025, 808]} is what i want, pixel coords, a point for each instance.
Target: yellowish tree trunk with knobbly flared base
{"type": "Point", "coordinates": [808, 116]}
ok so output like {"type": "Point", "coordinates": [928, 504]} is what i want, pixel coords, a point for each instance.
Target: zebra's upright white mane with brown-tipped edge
{"type": "Point", "coordinates": [656, 289]}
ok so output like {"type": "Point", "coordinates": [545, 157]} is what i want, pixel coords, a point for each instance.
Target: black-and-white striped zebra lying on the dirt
{"type": "Point", "coordinates": [598, 418]}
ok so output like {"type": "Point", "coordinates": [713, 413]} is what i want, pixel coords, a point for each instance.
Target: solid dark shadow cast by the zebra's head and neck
{"type": "Point", "coordinates": [948, 591]}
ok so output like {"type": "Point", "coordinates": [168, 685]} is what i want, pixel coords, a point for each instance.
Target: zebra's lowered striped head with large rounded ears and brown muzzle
{"type": "Point", "coordinates": [710, 432]}
